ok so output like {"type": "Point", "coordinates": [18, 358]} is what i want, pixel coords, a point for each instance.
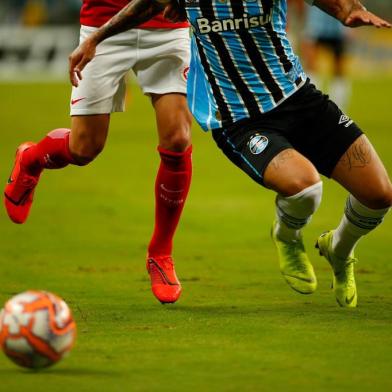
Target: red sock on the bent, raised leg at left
{"type": "Point", "coordinates": [52, 152]}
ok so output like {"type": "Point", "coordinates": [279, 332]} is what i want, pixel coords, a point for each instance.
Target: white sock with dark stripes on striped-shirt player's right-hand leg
{"type": "Point", "coordinates": [357, 221]}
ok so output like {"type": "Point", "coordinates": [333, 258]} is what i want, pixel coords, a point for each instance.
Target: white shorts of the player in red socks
{"type": "Point", "coordinates": [158, 57]}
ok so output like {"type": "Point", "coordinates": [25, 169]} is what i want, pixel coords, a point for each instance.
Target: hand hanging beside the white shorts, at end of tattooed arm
{"type": "Point", "coordinates": [79, 58]}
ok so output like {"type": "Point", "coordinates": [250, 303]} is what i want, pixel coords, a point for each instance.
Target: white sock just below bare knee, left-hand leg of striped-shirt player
{"type": "Point", "coordinates": [294, 212]}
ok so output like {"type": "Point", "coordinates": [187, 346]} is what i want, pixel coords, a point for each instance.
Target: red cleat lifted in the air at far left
{"type": "Point", "coordinates": [19, 191]}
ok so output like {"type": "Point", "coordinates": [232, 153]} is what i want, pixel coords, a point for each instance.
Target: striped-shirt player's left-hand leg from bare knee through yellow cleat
{"type": "Point", "coordinates": [299, 192]}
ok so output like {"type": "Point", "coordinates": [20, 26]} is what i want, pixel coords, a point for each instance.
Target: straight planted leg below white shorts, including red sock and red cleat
{"type": "Point", "coordinates": [171, 190]}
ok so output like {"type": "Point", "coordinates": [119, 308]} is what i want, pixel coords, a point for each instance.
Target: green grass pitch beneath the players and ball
{"type": "Point", "coordinates": [238, 326]}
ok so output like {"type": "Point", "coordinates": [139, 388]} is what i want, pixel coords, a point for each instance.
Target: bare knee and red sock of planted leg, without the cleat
{"type": "Point", "coordinates": [175, 170]}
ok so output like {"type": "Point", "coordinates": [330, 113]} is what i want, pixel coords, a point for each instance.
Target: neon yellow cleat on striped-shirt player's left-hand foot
{"type": "Point", "coordinates": [294, 264]}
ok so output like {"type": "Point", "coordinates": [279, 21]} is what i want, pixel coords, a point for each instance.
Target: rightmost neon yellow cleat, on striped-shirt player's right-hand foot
{"type": "Point", "coordinates": [343, 283]}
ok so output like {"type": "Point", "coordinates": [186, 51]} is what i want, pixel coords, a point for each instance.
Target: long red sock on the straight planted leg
{"type": "Point", "coordinates": [171, 189]}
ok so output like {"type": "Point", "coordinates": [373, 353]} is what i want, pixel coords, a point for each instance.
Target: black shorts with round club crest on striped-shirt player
{"type": "Point", "coordinates": [308, 122]}
